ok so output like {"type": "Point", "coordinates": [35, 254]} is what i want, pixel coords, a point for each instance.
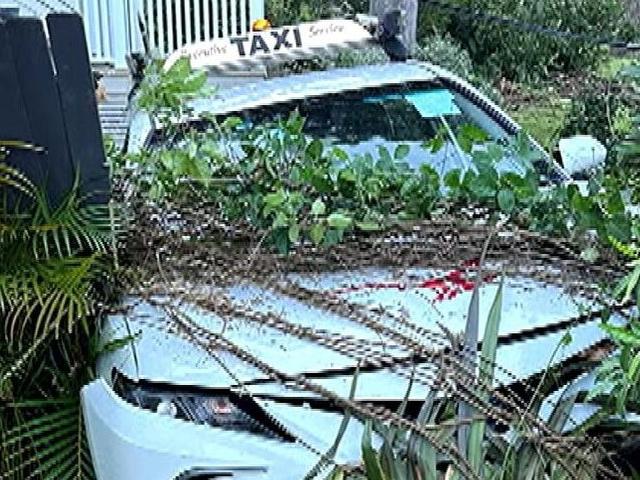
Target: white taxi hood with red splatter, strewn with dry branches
{"type": "Point", "coordinates": [536, 320]}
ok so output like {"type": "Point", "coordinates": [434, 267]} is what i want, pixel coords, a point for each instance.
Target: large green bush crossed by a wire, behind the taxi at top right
{"type": "Point", "coordinates": [514, 54]}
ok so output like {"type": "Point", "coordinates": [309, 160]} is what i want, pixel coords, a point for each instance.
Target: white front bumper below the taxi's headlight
{"type": "Point", "coordinates": [128, 443]}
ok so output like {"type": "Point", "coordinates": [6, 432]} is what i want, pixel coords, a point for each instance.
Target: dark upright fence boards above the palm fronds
{"type": "Point", "coordinates": [52, 105]}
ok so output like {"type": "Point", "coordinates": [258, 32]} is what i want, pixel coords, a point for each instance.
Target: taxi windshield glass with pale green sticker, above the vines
{"type": "Point", "coordinates": [439, 126]}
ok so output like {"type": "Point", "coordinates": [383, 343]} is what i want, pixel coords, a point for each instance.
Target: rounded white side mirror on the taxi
{"type": "Point", "coordinates": [581, 154]}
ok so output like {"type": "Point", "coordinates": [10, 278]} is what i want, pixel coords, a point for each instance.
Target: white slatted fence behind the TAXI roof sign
{"type": "Point", "coordinates": [112, 25]}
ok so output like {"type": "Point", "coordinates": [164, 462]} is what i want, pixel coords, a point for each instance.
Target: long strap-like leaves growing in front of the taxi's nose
{"type": "Point", "coordinates": [404, 456]}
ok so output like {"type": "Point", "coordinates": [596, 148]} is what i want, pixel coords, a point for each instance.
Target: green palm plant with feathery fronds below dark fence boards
{"type": "Point", "coordinates": [53, 260]}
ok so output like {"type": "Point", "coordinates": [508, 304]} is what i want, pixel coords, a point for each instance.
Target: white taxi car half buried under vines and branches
{"type": "Point", "coordinates": [165, 407]}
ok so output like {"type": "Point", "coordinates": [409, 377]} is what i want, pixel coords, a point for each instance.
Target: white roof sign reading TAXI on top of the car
{"type": "Point", "coordinates": [299, 41]}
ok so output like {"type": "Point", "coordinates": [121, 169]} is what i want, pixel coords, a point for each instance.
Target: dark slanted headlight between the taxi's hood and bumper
{"type": "Point", "coordinates": [217, 408]}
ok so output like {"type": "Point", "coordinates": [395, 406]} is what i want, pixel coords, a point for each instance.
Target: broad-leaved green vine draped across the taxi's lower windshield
{"type": "Point", "coordinates": [293, 188]}
